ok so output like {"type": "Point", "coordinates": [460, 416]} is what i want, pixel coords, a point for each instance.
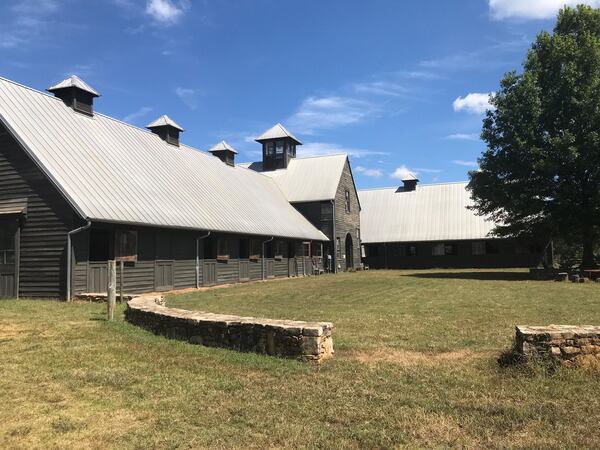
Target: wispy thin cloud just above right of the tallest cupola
{"type": "Point", "coordinates": [324, 113]}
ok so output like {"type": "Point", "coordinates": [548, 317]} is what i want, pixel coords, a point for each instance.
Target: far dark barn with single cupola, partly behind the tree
{"type": "Point", "coordinates": [431, 225]}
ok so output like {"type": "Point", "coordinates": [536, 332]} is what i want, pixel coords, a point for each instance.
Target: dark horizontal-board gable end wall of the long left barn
{"type": "Point", "coordinates": [43, 239]}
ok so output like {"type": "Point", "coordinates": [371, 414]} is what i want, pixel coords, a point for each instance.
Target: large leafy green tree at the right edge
{"type": "Point", "coordinates": [540, 173]}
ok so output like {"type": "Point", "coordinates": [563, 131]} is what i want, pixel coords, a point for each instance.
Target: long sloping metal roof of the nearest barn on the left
{"type": "Point", "coordinates": [114, 172]}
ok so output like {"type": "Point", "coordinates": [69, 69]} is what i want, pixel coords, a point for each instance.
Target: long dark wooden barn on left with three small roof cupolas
{"type": "Point", "coordinates": [79, 188]}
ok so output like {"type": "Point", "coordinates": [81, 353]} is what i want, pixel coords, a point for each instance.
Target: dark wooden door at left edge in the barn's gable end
{"type": "Point", "coordinates": [9, 233]}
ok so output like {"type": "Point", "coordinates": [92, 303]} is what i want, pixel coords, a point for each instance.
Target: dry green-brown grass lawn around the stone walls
{"type": "Point", "coordinates": [415, 366]}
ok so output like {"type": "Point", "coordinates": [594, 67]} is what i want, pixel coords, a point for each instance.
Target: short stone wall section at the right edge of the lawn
{"type": "Point", "coordinates": [570, 345]}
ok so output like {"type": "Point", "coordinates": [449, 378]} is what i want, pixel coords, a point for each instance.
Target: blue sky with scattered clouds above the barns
{"type": "Point", "coordinates": [399, 85]}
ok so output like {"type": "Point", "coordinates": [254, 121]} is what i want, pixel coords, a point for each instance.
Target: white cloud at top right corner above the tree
{"type": "Point", "coordinates": [532, 9]}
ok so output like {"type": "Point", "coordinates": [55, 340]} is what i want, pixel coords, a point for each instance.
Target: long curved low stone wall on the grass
{"type": "Point", "coordinates": [307, 341]}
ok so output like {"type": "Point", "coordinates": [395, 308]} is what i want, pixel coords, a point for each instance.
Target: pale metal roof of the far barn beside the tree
{"type": "Point", "coordinates": [432, 212]}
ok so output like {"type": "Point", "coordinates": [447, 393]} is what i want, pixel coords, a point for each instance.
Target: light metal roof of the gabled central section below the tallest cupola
{"type": "Point", "coordinates": [307, 179]}
